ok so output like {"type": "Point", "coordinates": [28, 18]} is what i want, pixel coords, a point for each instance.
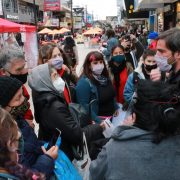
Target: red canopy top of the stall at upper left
{"type": "Point", "coordinates": [8, 26]}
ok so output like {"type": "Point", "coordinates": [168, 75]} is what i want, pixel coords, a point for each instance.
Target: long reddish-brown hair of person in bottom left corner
{"type": "Point", "coordinates": [9, 131]}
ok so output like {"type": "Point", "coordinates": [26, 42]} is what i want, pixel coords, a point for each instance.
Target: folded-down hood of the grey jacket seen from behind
{"type": "Point", "coordinates": [123, 133]}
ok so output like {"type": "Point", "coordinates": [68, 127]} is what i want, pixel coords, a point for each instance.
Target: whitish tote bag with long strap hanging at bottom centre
{"type": "Point", "coordinates": [82, 165]}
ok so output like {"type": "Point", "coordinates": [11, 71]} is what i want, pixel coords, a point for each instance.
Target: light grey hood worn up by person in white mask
{"type": "Point", "coordinates": [40, 81]}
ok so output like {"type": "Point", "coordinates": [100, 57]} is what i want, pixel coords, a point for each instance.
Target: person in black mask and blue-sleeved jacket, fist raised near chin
{"type": "Point", "coordinates": [147, 70]}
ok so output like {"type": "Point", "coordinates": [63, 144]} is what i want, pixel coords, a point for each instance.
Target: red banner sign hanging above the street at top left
{"type": "Point", "coordinates": [52, 5]}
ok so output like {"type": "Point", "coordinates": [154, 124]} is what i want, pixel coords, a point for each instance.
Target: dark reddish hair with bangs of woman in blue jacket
{"type": "Point", "coordinates": [86, 66]}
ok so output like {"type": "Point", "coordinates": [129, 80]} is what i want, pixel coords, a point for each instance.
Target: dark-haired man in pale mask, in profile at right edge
{"type": "Point", "coordinates": [168, 54]}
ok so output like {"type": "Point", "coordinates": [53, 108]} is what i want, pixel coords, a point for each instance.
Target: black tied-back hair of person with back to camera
{"type": "Point", "coordinates": [158, 109]}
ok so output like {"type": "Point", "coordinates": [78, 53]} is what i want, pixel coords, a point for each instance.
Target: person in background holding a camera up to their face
{"type": "Point", "coordinates": [133, 49]}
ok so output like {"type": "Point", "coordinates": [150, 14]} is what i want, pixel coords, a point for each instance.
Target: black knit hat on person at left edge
{"type": "Point", "coordinates": [8, 88]}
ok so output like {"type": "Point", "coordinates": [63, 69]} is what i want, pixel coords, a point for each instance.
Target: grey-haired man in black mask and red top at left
{"type": "Point", "coordinates": [12, 63]}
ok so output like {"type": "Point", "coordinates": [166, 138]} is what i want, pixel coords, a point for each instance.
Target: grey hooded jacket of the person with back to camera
{"type": "Point", "coordinates": [131, 155]}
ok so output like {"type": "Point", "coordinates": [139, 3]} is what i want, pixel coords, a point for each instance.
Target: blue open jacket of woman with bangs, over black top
{"type": "Point", "coordinates": [86, 91]}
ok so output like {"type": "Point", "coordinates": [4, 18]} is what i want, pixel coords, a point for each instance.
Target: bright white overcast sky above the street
{"type": "Point", "coordinates": [100, 8]}
